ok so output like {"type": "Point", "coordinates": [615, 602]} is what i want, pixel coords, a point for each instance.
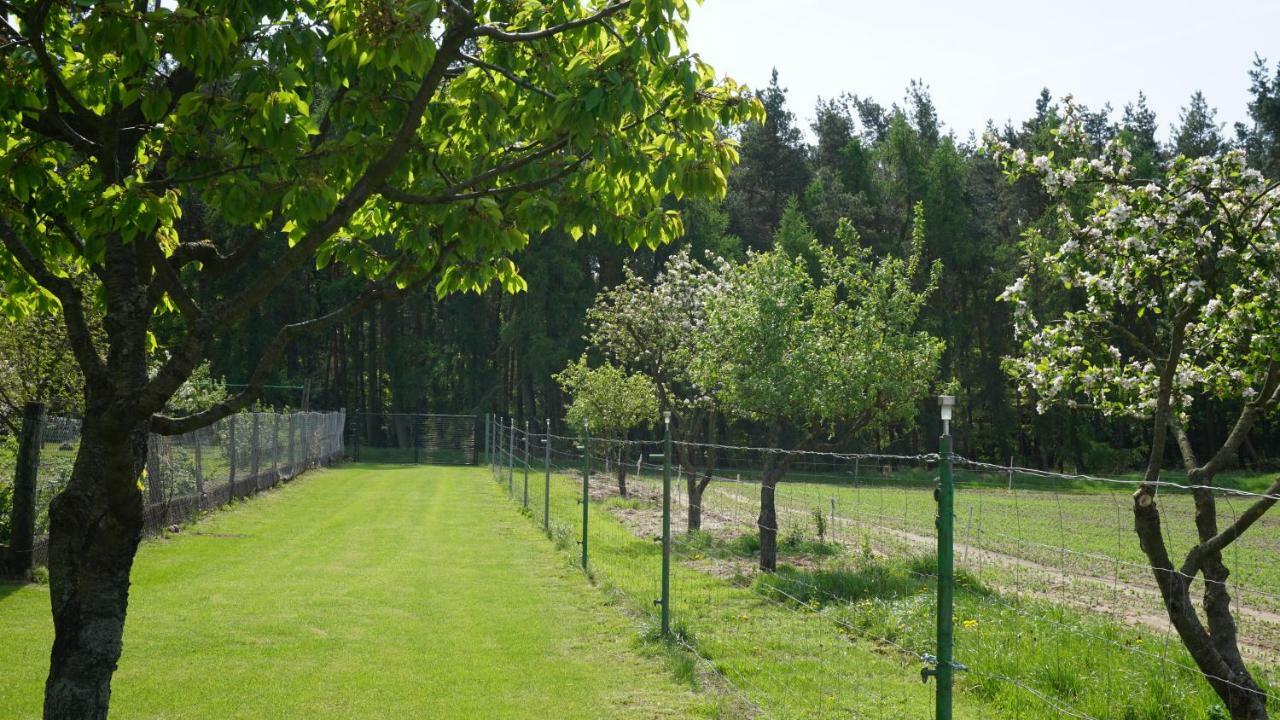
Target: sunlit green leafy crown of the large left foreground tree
{"type": "Point", "coordinates": [340, 135]}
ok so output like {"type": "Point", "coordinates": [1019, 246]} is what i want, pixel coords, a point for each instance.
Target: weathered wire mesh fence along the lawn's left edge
{"type": "Point", "coordinates": [186, 475]}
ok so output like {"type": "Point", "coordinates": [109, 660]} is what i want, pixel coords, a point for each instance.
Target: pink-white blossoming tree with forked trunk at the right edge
{"type": "Point", "coordinates": [1177, 299]}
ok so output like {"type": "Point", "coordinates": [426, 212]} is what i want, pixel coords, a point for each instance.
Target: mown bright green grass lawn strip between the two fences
{"type": "Point", "coordinates": [364, 593]}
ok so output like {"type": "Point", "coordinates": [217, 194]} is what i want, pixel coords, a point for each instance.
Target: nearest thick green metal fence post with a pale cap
{"type": "Point", "coordinates": [947, 566]}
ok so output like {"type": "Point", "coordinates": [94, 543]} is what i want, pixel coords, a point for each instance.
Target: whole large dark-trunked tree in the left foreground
{"type": "Point", "coordinates": [405, 143]}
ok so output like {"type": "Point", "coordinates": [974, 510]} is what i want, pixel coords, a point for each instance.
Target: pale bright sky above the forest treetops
{"type": "Point", "coordinates": [989, 60]}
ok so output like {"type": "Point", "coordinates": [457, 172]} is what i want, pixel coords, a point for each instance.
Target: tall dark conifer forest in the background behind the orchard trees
{"type": "Point", "coordinates": [860, 160]}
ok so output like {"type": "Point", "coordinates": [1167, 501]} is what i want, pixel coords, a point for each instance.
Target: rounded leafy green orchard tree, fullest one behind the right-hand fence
{"type": "Point", "coordinates": [819, 348]}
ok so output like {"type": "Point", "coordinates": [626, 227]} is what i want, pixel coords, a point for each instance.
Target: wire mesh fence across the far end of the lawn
{"type": "Point", "coordinates": [414, 439]}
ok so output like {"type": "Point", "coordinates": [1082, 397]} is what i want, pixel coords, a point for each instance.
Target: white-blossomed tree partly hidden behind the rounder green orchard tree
{"type": "Point", "coordinates": [652, 329]}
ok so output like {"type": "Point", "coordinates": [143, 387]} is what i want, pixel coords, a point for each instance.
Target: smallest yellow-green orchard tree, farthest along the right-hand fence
{"type": "Point", "coordinates": [611, 403]}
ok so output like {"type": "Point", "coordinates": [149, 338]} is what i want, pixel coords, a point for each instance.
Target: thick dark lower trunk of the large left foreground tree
{"type": "Point", "coordinates": [95, 528]}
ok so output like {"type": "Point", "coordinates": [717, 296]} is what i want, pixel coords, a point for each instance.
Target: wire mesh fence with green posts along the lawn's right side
{"type": "Point", "coordinates": [1058, 613]}
